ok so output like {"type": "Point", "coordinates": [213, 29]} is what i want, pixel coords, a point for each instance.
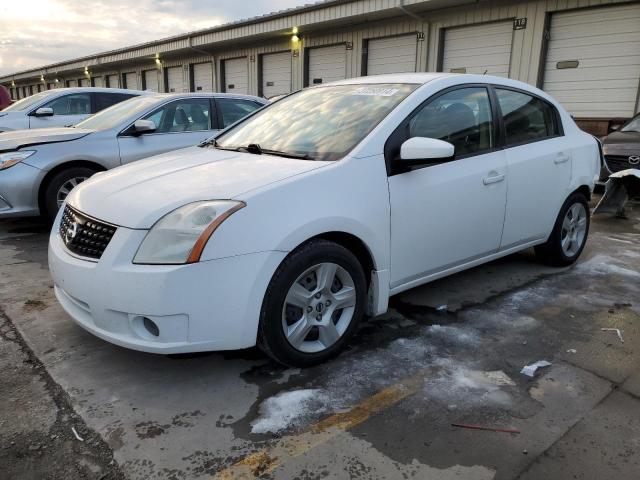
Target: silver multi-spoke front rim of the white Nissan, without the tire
{"type": "Point", "coordinates": [319, 308]}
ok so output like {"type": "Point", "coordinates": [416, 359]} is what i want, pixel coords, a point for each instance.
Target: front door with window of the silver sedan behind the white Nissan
{"type": "Point", "coordinates": [179, 124]}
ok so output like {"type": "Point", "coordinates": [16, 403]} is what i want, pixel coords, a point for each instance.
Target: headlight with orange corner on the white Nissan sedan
{"type": "Point", "coordinates": [180, 236]}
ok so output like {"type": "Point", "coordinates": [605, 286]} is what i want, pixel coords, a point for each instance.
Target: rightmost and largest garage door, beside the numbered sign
{"type": "Point", "coordinates": [593, 61]}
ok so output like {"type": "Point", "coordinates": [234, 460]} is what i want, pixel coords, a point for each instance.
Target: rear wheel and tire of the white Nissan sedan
{"type": "Point", "coordinates": [568, 238]}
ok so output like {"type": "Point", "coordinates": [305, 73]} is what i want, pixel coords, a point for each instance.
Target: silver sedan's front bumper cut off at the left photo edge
{"type": "Point", "coordinates": [19, 190]}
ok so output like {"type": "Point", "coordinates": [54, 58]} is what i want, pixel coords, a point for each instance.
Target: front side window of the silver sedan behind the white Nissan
{"type": "Point", "coordinates": [188, 115]}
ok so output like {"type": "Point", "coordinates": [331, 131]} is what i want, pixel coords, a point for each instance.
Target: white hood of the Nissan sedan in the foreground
{"type": "Point", "coordinates": [138, 195]}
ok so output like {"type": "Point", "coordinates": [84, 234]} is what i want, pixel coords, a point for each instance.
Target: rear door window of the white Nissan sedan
{"type": "Point", "coordinates": [526, 118]}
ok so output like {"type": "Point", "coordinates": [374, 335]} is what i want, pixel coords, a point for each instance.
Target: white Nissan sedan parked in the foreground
{"type": "Point", "coordinates": [290, 226]}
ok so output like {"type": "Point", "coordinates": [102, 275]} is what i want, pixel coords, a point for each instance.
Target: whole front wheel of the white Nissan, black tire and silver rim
{"type": "Point", "coordinates": [319, 315]}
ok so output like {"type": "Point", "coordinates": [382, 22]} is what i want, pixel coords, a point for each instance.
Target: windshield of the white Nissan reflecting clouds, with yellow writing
{"type": "Point", "coordinates": [321, 123]}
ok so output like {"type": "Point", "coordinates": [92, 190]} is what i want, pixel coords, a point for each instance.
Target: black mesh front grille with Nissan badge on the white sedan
{"type": "Point", "coordinates": [84, 235]}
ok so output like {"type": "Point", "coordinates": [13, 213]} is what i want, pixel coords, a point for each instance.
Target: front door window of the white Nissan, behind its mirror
{"type": "Point", "coordinates": [461, 117]}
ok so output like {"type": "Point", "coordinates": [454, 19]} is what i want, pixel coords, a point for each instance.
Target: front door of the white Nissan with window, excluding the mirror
{"type": "Point", "coordinates": [445, 215]}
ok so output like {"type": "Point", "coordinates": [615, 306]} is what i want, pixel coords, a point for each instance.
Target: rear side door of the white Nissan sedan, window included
{"type": "Point", "coordinates": [539, 165]}
